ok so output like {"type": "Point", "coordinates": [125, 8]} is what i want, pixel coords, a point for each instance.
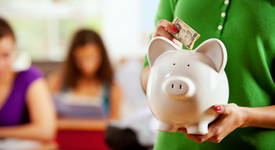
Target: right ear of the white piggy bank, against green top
{"type": "Point", "coordinates": [216, 51]}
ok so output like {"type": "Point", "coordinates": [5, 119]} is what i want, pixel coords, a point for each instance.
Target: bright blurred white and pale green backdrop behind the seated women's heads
{"type": "Point", "coordinates": [125, 25]}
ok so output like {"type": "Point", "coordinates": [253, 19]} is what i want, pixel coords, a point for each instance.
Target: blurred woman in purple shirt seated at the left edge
{"type": "Point", "coordinates": [26, 109]}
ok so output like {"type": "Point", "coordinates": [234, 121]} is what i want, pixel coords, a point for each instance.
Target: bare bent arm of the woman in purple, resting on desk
{"type": "Point", "coordinates": [42, 115]}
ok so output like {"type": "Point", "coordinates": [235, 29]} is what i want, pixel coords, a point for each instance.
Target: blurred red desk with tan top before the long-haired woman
{"type": "Point", "coordinates": [81, 134]}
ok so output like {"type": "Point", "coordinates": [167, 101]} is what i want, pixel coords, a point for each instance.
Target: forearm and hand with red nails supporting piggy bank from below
{"type": "Point", "coordinates": [233, 117]}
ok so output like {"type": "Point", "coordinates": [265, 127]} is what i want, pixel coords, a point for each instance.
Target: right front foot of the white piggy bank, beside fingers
{"type": "Point", "coordinates": [201, 128]}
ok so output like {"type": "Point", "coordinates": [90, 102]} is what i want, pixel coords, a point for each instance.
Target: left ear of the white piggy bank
{"type": "Point", "coordinates": [158, 46]}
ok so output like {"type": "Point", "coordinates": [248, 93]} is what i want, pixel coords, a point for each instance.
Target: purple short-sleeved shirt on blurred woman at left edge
{"type": "Point", "coordinates": [14, 110]}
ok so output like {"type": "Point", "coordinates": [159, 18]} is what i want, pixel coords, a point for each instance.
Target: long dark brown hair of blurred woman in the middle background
{"type": "Point", "coordinates": [71, 72]}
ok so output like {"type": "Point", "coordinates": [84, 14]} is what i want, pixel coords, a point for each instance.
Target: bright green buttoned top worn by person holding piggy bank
{"type": "Point", "coordinates": [248, 32]}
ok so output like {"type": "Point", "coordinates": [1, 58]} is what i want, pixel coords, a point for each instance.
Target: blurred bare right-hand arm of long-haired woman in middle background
{"type": "Point", "coordinates": [115, 99]}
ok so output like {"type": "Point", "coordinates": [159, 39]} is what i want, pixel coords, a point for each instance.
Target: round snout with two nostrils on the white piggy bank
{"type": "Point", "coordinates": [178, 87]}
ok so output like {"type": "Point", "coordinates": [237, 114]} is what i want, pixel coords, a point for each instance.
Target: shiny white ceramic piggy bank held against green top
{"type": "Point", "coordinates": [183, 85]}
